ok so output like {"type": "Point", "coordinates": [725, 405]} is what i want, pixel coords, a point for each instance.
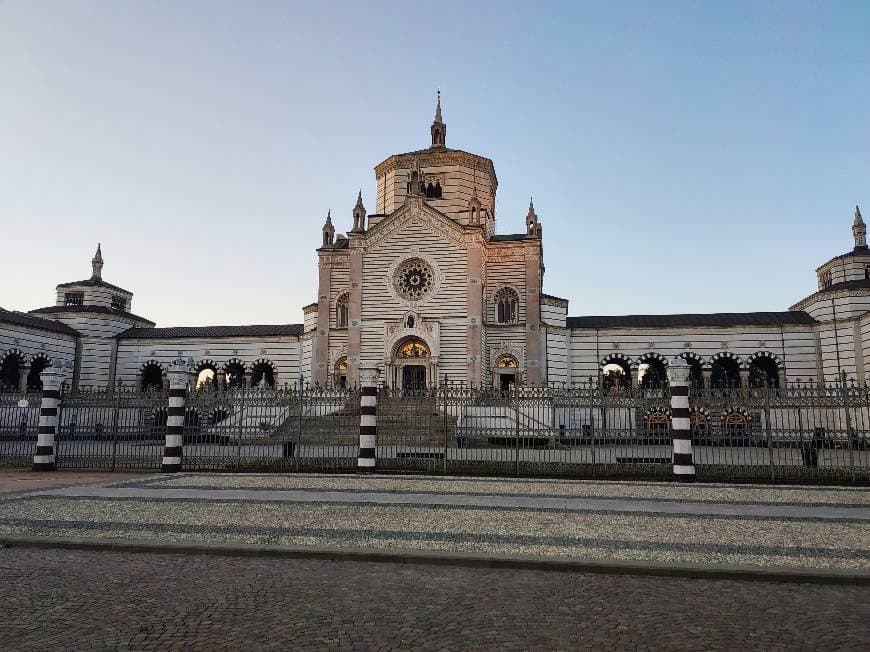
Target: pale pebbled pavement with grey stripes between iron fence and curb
{"type": "Point", "coordinates": [795, 527]}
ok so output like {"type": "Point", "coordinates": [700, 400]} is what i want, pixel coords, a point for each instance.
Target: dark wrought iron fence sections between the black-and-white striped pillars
{"type": "Point", "coordinates": [802, 432]}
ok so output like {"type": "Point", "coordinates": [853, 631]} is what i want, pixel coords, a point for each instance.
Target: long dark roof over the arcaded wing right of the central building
{"type": "Point", "coordinates": [788, 318]}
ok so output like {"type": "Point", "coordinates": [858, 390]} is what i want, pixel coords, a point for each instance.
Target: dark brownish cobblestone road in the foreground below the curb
{"type": "Point", "coordinates": [55, 600]}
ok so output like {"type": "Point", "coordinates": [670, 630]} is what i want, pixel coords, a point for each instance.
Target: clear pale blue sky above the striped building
{"type": "Point", "coordinates": [683, 156]}
